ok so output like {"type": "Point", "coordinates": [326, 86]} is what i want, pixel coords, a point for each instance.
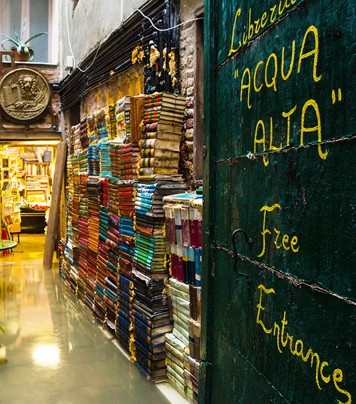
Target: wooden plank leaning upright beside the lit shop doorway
{"type": "Point", "coordinates": [52, 226]}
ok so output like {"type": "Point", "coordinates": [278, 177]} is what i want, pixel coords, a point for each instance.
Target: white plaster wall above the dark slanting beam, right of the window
{"type": "Point", "coordinates": [88, 24]}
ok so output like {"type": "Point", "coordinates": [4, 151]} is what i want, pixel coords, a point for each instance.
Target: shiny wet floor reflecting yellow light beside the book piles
{"type": "Point", "coordinates": [52, 350]}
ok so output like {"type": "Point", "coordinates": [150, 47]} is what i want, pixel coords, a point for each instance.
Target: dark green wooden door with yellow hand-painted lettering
{"type": "Point", "coordinates": [279, 326]}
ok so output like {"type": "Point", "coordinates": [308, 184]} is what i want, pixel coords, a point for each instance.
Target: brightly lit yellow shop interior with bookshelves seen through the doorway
{"type": "Point", "coordinates": [27, 170]}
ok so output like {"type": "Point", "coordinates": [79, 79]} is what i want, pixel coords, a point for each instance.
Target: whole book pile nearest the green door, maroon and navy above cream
{"type": "Point", "coordinates": [183, 214]}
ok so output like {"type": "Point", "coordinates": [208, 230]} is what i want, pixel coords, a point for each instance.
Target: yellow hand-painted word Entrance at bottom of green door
{"type": "Point", "coordinates": [286, 341]}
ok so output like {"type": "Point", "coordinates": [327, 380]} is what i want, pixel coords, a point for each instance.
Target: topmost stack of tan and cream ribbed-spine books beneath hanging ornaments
{"type": "Point", "coordinates": [161, 136]}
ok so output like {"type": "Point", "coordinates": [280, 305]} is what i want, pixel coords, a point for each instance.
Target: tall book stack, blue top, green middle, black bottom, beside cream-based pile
{"type": "Point", "coordinates": [149, 275]}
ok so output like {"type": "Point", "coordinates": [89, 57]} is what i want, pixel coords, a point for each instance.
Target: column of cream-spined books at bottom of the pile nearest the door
{"type": "Point", "coordinates": [179, 301]}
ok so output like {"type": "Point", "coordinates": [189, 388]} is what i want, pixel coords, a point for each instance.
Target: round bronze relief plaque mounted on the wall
{"type": "Point", "coordinates": [24, 94]}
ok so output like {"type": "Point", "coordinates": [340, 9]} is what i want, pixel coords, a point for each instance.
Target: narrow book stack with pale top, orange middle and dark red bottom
{"type": "Point", "coordinates": [93, 241]}
